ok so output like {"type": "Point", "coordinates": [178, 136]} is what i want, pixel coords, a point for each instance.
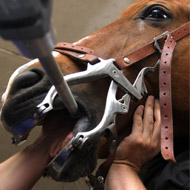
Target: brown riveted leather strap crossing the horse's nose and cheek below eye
{"type": "Point", "coordinates": [86, 55]}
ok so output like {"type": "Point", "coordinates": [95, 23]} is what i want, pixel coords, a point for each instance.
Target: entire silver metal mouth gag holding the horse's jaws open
{"type": "Point", "coordinates": [102, 69]}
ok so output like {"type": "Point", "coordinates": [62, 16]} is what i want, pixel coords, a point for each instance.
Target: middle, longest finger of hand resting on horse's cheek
{"type": "Point", "coordinates": [148, 120]}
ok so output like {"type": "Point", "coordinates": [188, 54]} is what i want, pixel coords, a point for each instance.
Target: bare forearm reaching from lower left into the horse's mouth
{"type": "Point", "coordinates": [23, 170]}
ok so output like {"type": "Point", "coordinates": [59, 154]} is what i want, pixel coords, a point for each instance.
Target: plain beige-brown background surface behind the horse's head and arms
{"type": "Point", "coordinates": [72, 20]}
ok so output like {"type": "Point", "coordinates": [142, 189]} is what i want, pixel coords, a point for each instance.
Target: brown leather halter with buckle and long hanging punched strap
{"type": "Point", "coordinates": [86, 55]}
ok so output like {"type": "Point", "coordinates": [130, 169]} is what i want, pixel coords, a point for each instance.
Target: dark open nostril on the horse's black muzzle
{"type": "Point", "coordinates": [26, 80]}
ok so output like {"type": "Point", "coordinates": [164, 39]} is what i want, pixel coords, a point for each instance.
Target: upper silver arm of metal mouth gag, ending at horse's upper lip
{"type": "Point", "coordinates": [102, 69]}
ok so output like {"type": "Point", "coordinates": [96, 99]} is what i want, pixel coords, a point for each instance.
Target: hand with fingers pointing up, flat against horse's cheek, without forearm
{"type": "Point", "coordinates": [144, 141]}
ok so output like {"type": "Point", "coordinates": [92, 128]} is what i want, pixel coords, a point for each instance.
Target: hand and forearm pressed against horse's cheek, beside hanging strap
{"type": "Point", "coordinates": [136, 149]}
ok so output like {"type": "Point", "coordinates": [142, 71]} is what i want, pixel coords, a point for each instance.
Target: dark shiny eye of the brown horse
{"type": "Point", "coordinates": [157, 13]}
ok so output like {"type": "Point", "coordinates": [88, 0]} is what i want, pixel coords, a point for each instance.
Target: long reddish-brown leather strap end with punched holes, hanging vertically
{"type": "Point", "coordinates": [166, 100]}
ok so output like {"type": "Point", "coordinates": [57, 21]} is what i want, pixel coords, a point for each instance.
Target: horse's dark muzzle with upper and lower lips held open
{"type": "Point", "coordinates": [21, 104]}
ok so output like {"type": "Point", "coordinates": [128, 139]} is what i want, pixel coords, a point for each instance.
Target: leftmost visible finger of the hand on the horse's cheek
{"type": "Point", "coordinates": [137, 127]}
